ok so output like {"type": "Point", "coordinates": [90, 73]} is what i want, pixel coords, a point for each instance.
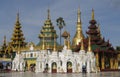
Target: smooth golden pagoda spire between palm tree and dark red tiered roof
{"type": "Point", "coordinates": [79, 34]}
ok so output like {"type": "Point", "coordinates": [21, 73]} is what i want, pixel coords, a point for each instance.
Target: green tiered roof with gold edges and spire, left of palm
{"type": "Point", "coordinates": [48, 33]}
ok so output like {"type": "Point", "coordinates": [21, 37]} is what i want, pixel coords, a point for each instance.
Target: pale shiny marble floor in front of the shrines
{"type": "Point", "coordinates": [32, 74]}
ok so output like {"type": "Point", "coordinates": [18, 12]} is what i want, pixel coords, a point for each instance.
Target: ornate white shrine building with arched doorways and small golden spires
{"type": "Point", "coordinates": [65, 61]}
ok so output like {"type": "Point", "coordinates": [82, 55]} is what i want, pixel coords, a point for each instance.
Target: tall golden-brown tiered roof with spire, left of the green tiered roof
{"type": "Point", "coordinates": [17, 36]}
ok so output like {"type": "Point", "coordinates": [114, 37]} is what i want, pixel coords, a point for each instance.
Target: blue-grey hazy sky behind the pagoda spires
{"type": "Point", "coordinates": [33, 14]}
